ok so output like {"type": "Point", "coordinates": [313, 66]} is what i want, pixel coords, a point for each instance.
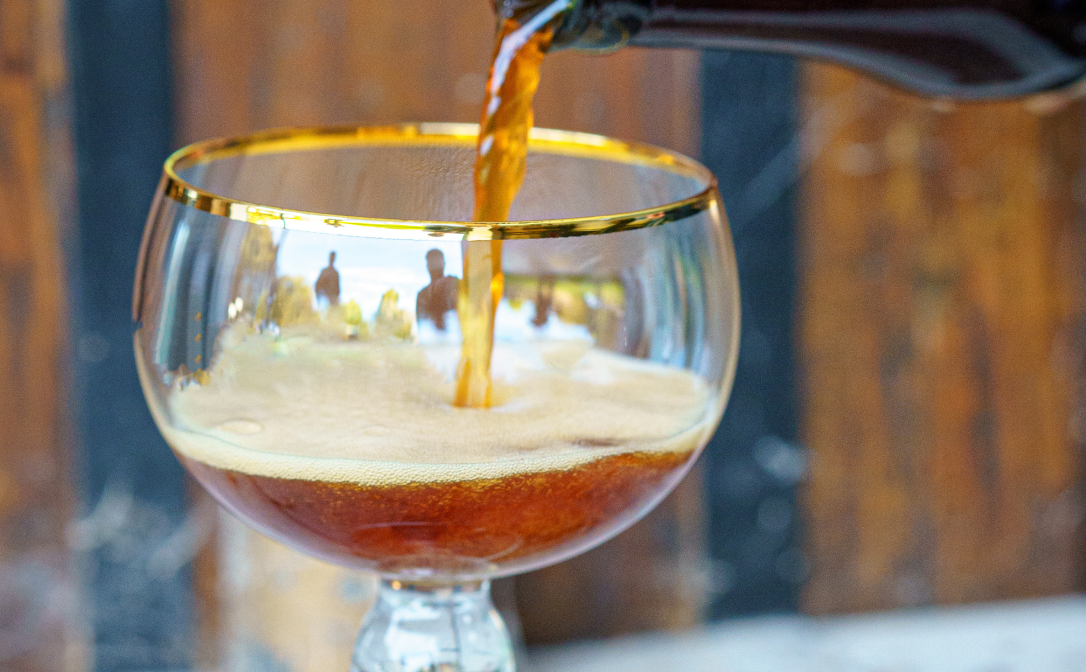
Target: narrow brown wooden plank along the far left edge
{"type": "Point", "coordinates": [37, 600]}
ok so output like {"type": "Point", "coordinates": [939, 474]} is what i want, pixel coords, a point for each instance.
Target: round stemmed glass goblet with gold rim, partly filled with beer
{"type": "Point", "coordinates": [302, 365]}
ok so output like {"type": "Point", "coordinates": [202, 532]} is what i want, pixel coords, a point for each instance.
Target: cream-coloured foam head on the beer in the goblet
{"type": "Point", "coordinates": [372, 413]}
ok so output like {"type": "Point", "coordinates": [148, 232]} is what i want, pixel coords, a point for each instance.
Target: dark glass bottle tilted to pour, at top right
{"type": "Point", "coordinates": [964, 49]}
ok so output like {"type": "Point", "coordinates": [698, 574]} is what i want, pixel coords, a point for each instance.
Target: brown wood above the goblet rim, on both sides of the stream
{"type": "Point", "coordinates": [284, 64]}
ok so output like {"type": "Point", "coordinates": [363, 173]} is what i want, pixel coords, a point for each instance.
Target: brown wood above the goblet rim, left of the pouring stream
{"type": "Point", "coordinates": [329, 62]}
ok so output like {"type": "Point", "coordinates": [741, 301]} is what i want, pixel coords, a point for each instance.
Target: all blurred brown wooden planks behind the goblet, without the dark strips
{"type": "Point", "coordinates": [940, 335]}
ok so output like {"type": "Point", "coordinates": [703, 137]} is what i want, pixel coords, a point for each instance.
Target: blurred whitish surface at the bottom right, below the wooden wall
{"type": "Point", "coordinates": [1028, 637]}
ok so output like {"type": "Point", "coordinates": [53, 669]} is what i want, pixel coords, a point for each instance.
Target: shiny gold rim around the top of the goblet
{"type": "Point", "coordinates": [561, 143]}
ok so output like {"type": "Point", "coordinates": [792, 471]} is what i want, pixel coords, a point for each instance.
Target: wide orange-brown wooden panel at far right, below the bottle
{"type": "Point", "coordinates": [941, 340]}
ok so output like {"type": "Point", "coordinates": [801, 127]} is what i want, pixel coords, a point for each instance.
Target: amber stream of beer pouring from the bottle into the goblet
{"type": "Point", "coordinates": [501, 159]}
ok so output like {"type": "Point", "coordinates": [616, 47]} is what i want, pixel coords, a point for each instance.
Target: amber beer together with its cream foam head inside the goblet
{"type": "Point", "coordinates": [362, 459]}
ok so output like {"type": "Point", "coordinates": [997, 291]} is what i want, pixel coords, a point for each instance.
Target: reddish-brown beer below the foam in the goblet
{"type": "Point", "coordinates": [456, 528]}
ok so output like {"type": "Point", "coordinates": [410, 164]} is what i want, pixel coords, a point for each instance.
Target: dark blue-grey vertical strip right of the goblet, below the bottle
{"type": "Point", "coordinates": [753, 463]}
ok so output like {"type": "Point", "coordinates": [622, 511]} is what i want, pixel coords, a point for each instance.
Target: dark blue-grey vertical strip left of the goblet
{"type": "Point", "coordinates": [135, 539]}
